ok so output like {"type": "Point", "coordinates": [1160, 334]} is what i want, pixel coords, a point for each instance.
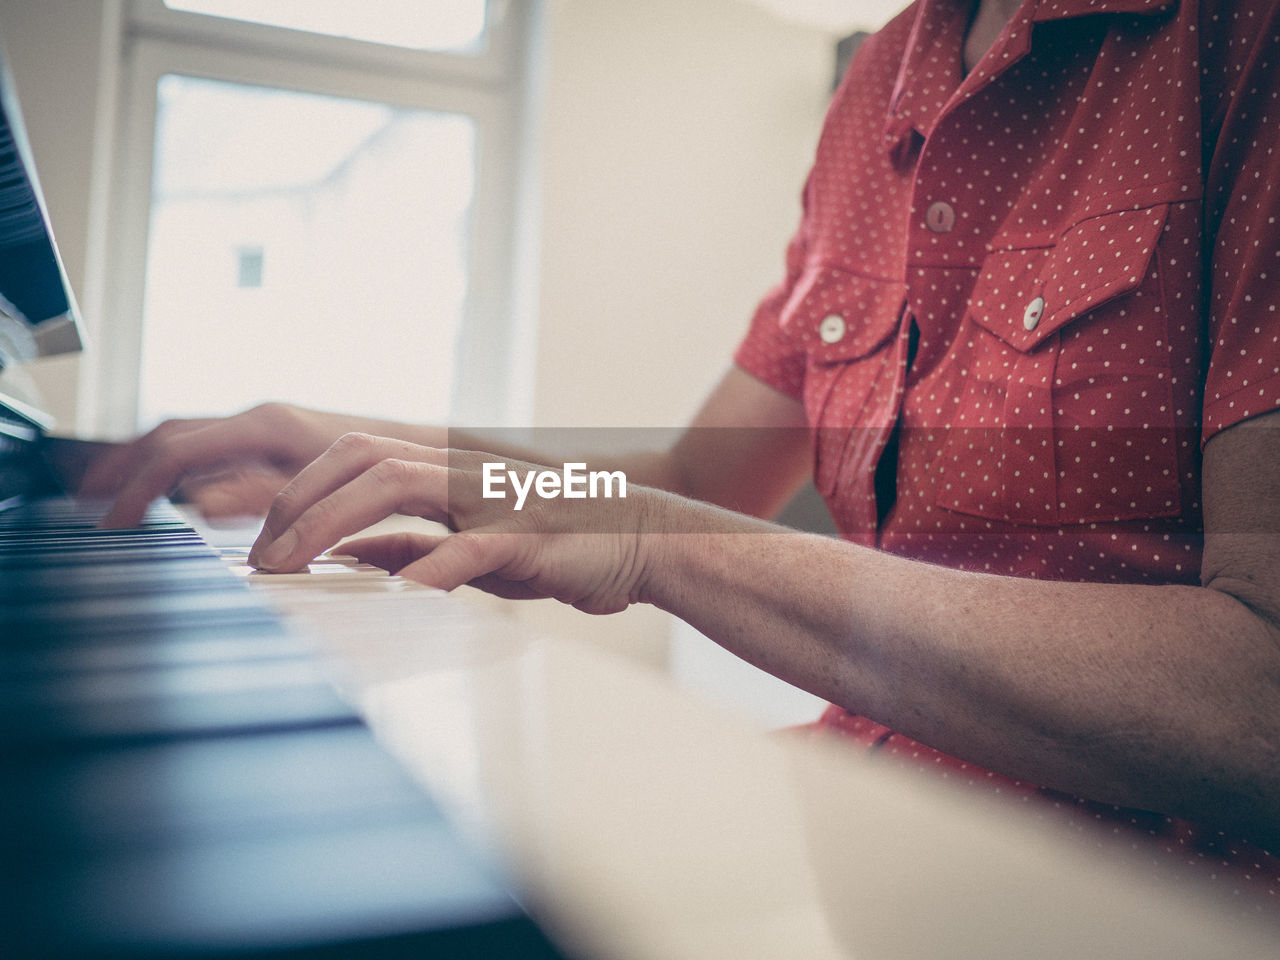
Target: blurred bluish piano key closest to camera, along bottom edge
{"type": "Point", "coordinates": [397, 886]}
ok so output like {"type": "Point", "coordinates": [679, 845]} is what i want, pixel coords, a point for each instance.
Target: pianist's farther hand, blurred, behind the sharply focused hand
{"type": "Point", "coordinates": [225, 467]}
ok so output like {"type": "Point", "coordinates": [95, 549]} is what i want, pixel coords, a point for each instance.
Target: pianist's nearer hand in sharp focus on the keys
{"type": "Point", "coordinates": [586, 552]}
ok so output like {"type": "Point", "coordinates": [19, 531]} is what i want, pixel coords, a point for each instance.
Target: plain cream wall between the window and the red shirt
{"type": "Point", "coordinates": [676, 138]}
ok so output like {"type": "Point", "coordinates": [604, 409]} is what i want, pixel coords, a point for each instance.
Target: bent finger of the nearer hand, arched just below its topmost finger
{"type": "Point", "coordinates": [386, 488]}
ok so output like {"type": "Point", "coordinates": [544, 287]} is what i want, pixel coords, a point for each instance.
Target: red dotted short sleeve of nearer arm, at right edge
{"type": "Point", "coordinates": [1244, 218]}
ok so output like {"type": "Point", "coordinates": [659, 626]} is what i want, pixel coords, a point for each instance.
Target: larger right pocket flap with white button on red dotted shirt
{"type": "Point", "coordinates": [1023, 296]}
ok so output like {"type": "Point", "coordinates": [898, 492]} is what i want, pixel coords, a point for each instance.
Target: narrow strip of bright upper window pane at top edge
{"type": "Point", "coordinates": [419, 25]}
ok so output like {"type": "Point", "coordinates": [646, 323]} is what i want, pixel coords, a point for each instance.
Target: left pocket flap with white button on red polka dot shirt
{"type": "Point", "coordinates": [840, 317]}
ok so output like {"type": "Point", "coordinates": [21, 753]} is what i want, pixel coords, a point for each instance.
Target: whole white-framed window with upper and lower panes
{"type": "Point", "coordinates": [312, 214]}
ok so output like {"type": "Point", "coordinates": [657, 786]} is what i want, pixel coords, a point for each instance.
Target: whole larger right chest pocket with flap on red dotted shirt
{"type": "Point", "coordinates": [1066, 412]}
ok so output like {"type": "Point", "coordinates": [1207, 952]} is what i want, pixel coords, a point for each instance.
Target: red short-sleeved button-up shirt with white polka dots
{"type": "Point", "coordinates": [1021, 300]}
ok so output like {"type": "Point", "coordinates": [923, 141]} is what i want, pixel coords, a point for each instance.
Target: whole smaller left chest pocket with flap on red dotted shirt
{"type": "Point", "coordinates": [847, 324]}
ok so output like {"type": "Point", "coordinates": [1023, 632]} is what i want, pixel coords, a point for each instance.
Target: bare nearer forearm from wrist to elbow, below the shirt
{"type": "Point", "coordinates": [1163, 698]}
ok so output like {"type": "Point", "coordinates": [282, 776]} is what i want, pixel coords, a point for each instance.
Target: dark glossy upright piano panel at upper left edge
{"type": "Point", "coordinates": [38, 309]}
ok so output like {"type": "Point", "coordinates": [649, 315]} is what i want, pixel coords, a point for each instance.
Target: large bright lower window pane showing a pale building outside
{"type": "Point", "coordinates": [305, 249]}
